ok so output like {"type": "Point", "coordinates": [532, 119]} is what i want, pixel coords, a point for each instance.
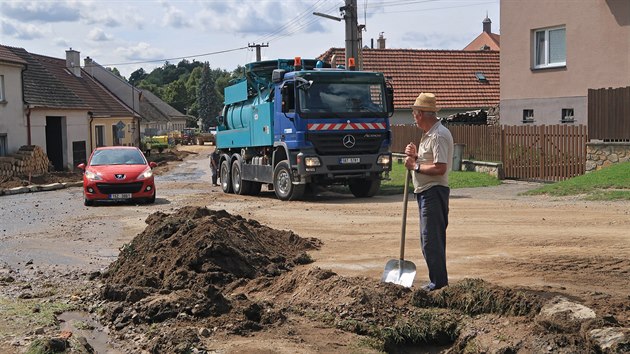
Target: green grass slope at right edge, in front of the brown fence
{"type": "Point", "coordinates": [610, 183]}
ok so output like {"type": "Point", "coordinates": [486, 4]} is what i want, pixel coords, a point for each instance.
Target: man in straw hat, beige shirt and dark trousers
{"type": "Point", "coordinates": [431, 161]}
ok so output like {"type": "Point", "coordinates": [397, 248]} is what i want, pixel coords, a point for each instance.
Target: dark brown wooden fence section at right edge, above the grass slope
{"type": "Point", "coordinates": [609, 114]}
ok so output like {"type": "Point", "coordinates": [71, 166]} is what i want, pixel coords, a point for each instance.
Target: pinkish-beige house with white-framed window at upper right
{"type": "Point", "coordinates": [553, 53]}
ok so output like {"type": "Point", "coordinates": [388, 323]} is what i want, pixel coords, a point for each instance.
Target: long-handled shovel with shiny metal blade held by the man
{"type": "Point", "coordinates": [399, 271]}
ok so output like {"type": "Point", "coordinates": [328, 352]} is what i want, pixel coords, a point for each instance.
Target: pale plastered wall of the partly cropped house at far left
{"type": "Point", "coordinates": [12, 120]}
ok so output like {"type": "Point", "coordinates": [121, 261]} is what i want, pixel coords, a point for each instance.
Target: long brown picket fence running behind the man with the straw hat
{"type": "Point", "coordinates": [532, 152]}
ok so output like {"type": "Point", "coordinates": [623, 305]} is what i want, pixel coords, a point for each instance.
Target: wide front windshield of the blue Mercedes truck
{"type": "Point", "coordinates": [342, 99]}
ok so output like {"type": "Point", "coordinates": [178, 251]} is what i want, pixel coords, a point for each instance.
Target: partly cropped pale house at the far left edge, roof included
{"type": "Point", "coordinates": [12, 131]}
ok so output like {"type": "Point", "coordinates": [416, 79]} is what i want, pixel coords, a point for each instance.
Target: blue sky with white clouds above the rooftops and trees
{"type": "Point", "coordinates": [136, 34]}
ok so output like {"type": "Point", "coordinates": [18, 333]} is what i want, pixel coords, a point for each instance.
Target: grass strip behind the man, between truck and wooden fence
{"type": "Point", "coordinates": [456, 179]}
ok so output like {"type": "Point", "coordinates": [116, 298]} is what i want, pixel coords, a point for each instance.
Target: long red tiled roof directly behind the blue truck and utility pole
{"type": "Point", "coordinates": [449, 74]}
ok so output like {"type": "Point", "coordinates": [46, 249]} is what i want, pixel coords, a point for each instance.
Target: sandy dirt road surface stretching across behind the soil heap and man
{"type": "Point", "coordinates": [555, 245]}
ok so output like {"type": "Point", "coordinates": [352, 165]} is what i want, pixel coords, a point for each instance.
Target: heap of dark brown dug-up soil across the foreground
{"type": "Point", "coordinates": [202, 274]}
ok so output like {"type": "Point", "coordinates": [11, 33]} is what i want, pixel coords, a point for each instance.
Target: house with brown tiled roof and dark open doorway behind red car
{"type": "Point", "coordinates": [64, 111]}
